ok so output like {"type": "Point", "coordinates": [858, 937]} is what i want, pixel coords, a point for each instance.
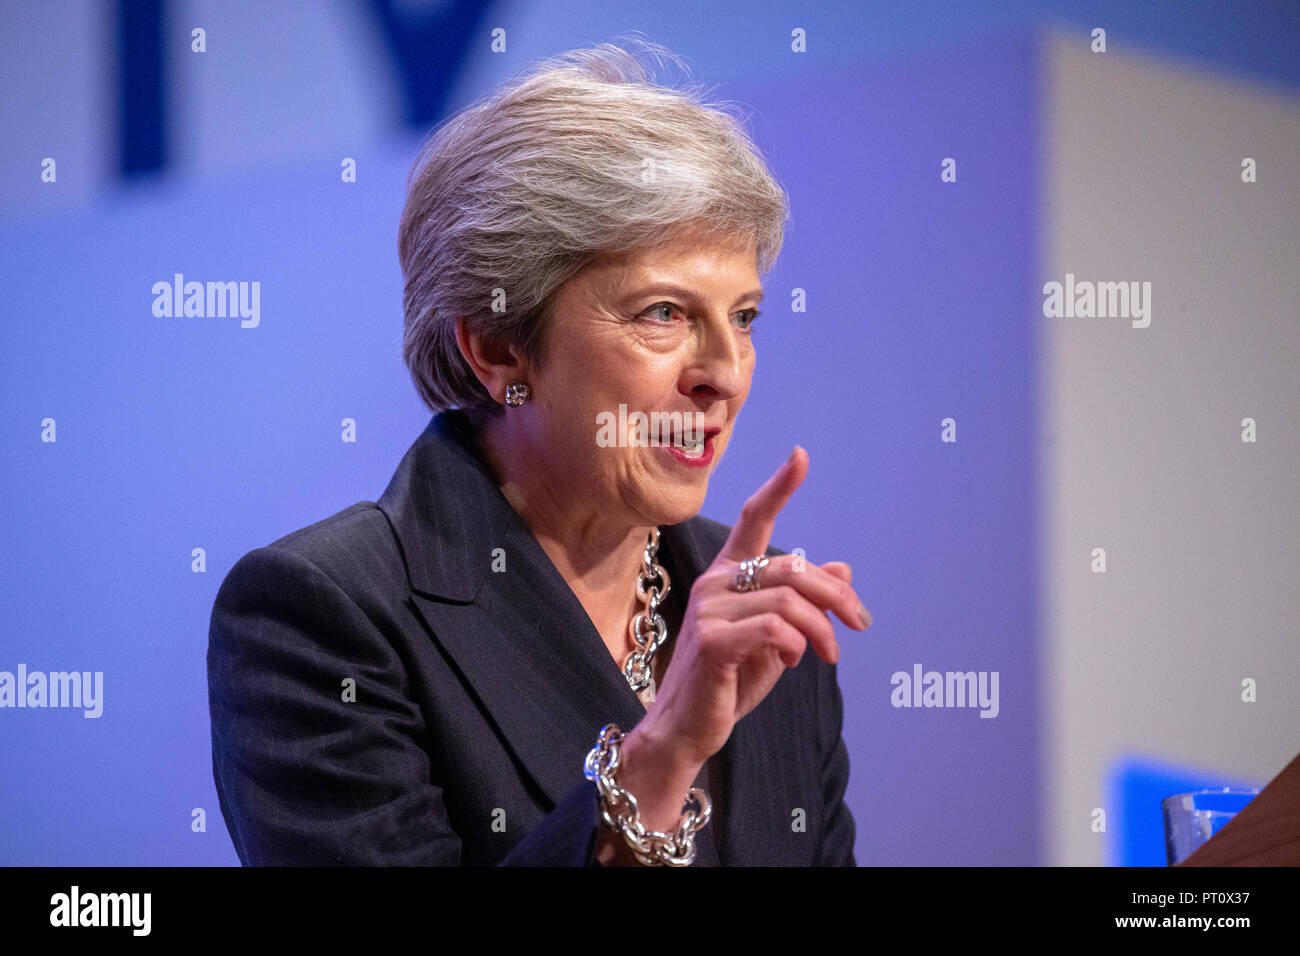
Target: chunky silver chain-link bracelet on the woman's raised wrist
{"type": "Point", "coordinates": [619, 810]}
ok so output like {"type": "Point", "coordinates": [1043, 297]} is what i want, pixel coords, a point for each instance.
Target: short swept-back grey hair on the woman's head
{"type": "Point", "coordinates": [583, 154]}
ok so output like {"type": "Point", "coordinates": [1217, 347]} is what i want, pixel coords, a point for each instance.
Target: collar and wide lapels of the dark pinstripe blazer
{"type": "Point", "coordinates": [518, 634]}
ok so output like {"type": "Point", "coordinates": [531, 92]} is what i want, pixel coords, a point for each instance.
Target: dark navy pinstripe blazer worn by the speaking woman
{"type": "Point", "coordinates": [478, 694]}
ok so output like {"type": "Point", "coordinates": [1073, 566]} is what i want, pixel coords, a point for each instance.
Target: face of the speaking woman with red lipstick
{"type": "Point", "coordinates": [657, 331]}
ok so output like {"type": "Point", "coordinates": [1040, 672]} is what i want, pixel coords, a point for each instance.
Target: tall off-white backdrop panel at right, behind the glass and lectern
{"type": "Point", "coordinates": [1142, 438]}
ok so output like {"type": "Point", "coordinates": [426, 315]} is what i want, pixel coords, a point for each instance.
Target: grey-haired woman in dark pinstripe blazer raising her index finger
{"type": "Point", "coordinates": [532, 624]}
